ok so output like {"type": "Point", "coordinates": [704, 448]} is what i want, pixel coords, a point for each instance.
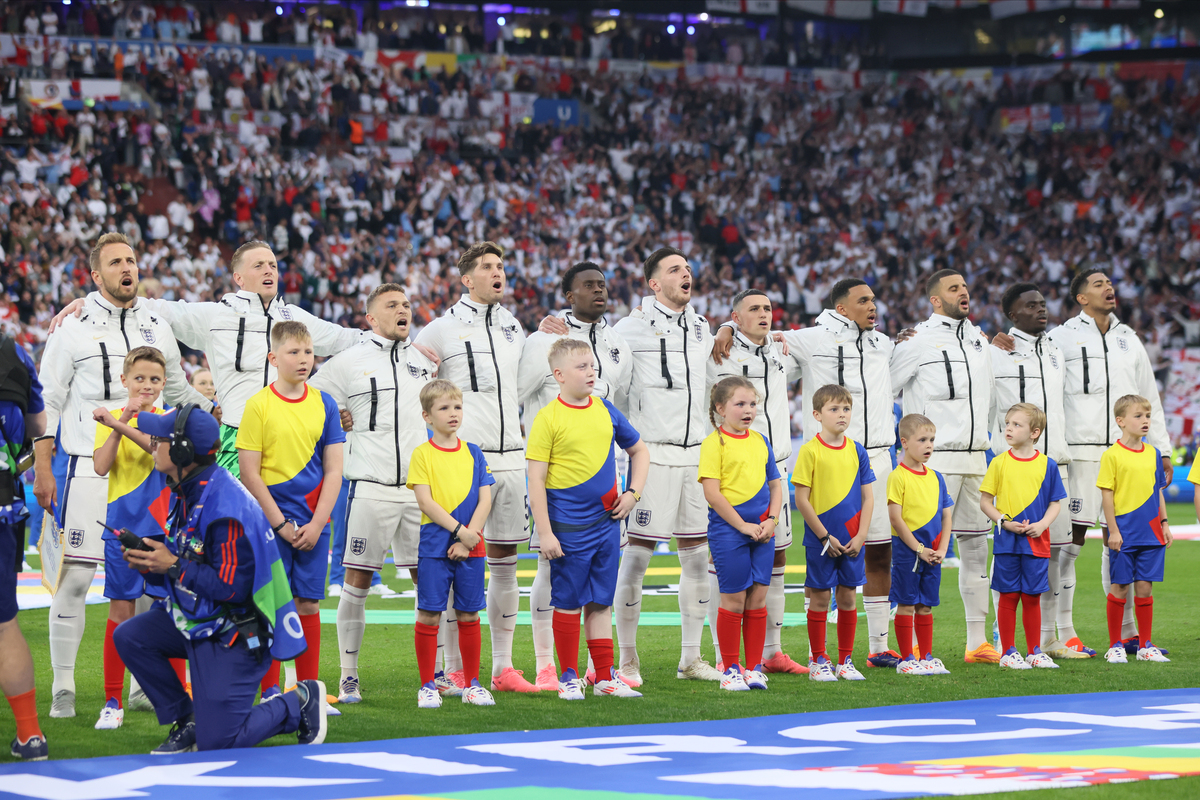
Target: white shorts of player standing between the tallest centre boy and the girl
{"type": "Point", "coordinates": [673, 506]}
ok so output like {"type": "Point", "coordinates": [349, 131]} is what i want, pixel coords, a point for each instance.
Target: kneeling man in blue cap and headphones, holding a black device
{"type": "Point", "coordinates": [225, 612]}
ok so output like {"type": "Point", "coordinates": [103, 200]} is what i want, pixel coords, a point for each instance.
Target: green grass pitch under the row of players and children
{"type": "Point", "coordinates": [388, 672]}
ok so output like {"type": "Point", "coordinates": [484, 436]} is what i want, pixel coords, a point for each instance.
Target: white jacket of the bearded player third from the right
{"type": "Point", "coordinates": [945, 372]}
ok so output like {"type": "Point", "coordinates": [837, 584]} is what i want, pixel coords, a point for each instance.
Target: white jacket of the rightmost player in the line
{"type": "Point", "coordinates": [1100, 371]}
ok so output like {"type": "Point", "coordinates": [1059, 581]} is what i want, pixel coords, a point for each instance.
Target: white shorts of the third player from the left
{"type": "Point", "coordinates": [379, 519]}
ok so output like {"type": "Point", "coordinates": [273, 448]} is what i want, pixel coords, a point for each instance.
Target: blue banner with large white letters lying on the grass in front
{"type": "Point", "coordinates": [979, 747]}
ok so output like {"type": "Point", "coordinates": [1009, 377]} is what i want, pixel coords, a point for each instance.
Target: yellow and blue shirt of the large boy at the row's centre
{"type": "Point", "coordinates": [581, 479]}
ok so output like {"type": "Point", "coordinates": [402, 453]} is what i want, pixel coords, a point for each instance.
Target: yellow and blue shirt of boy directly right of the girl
{"type": "Point", "coordinates": [837, 477]}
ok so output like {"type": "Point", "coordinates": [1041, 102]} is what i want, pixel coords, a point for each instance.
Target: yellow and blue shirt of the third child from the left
{"type": "Point", "coordinates": [454, 477]}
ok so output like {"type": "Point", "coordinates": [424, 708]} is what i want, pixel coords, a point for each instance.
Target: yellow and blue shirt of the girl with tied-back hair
{"type": "Point", "coordinates": [746, 466]}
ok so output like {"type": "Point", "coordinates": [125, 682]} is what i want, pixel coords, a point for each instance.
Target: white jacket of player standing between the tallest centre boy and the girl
{"type": "Point", "coordinates": [669, 390]}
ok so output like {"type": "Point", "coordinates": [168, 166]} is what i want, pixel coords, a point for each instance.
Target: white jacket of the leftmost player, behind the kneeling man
{"type": "Point", "coordinates": [83, 362]}
